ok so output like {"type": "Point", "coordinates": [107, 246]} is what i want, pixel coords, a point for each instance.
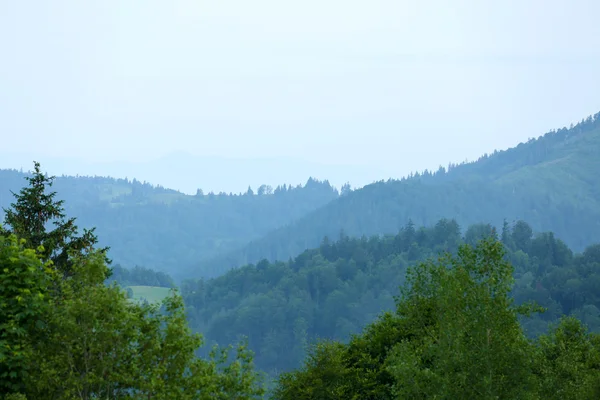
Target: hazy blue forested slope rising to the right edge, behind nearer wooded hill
{"type": "Point", "coordinates": [551, 182]}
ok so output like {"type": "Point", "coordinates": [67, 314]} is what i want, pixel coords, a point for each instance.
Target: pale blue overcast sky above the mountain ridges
{"type": "Point", "coordinates": [348, 90]}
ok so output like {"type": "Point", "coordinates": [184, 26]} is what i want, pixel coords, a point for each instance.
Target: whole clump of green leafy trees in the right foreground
{"type": "Point", "coordinates": [455, 334]}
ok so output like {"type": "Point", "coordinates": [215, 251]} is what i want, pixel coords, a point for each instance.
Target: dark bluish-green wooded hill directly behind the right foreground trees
{"type": "Point", "coordinates": [337, 289]}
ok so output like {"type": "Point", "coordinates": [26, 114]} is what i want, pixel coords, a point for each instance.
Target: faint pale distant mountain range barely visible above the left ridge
{"type": "Point", "coordinates": [185, 172]}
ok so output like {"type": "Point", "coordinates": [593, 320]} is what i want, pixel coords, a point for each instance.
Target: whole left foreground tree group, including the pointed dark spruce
{"type": "Point", "coordinates": [65, 334]}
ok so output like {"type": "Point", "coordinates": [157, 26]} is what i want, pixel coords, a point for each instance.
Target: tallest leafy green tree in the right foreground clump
{"type": "Point", "coordinates": [466, 338]}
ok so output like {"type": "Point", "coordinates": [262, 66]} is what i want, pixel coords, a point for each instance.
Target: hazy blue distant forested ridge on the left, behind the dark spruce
{"type": "Point", "coordinates": [166, 230]}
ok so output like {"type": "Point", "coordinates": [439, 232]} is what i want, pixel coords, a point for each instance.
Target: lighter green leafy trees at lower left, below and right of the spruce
{"type": "Point", "coordinates": [102, 346]}
